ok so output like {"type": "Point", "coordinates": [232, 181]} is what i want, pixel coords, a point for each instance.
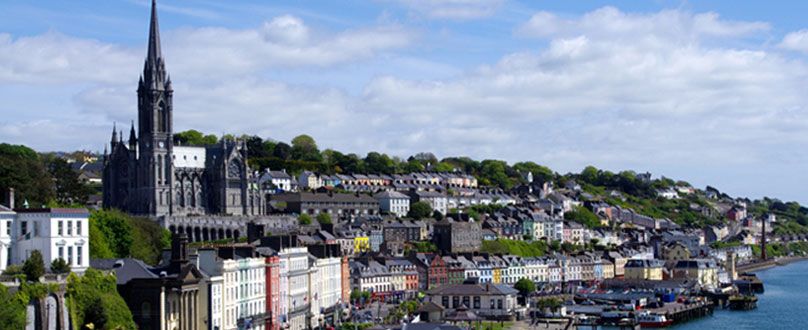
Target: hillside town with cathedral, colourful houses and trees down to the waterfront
{"type": "Point", "coordinates": [177, 230]}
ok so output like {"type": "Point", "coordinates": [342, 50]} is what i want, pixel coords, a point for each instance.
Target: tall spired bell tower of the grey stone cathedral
{"type": "Point", "coordinates": [154, 142]}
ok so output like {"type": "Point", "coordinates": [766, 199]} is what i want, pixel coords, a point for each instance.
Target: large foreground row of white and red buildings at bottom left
{"type": "Point", "coordinates": [274, 283]}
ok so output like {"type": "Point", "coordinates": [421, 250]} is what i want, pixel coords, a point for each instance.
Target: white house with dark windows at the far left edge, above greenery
{"type": "Point", "coordinates": [55, 232]}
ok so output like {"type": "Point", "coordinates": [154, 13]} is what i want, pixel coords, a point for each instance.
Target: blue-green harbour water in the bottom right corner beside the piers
{"type": "Point", "coordinates": [784, 305]}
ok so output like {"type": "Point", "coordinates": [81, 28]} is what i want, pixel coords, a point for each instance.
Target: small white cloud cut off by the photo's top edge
{"type": "Point", "coordinates": [454, 9]}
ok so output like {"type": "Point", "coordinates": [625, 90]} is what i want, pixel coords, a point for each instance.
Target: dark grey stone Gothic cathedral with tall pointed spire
{"type": "Point", "coordinates": [150, 175]}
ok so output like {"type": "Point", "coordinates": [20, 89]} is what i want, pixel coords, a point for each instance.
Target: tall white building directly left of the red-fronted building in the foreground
{"type": "Point", "coordinates": [243, 287]}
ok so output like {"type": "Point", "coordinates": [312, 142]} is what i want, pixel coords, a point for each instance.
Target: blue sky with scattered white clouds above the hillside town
{"type": "Point", "coordinates": [710, 92]}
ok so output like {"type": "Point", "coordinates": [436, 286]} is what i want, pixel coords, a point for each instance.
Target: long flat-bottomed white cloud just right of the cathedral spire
{"type": "Point", "coordinates": [282, 42]}
